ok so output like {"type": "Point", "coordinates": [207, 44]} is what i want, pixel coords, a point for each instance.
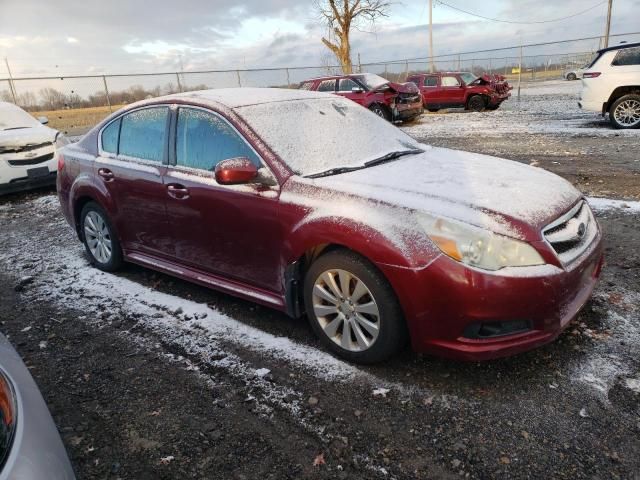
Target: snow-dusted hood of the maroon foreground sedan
{"type": "Point", "coordinates": [503, 196]}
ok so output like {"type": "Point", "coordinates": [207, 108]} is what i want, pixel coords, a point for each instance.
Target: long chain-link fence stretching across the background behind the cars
{"type": "Point", "coordinates": [75, 103]}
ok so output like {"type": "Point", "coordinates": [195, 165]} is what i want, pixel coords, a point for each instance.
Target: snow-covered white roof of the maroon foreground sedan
{"type": "Point", "coordinates": [243, 96]}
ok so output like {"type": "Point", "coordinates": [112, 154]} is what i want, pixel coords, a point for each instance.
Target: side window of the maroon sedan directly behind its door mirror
{"type": "Point", "coordinates": [204, 139]}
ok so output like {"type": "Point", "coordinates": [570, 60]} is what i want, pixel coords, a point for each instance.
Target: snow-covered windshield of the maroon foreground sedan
{"type": "Point", "coordinates": [315, 135]}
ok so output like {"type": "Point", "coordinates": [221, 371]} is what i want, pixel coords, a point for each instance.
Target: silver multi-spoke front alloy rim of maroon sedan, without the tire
{"type": "Point", "coordinates": [346, 310]}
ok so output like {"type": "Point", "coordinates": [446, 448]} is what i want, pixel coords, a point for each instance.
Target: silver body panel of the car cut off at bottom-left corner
{"type": "Point", "coordinates": [37, 451]}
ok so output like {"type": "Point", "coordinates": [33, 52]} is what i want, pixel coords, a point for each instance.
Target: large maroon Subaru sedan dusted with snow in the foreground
{"type": "Point", "coordinates": [307, 203]}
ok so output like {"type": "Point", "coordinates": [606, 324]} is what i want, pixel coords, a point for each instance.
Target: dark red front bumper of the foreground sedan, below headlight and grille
{"type": "Point", "coordinates": [446, 300]}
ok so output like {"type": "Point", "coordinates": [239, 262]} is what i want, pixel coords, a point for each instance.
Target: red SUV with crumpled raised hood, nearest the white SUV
{"type": "Point", "coordinates": [461, 90]}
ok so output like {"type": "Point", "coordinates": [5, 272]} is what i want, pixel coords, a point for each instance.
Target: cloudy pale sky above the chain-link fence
{"type": "Point", "coordinates": [65, 37]}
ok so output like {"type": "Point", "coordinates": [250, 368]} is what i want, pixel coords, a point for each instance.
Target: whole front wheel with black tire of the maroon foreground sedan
{"type": "Point", "coordinates": [373, 337]}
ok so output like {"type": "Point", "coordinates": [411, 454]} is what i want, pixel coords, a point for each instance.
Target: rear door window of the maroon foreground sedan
{"type": "Point", "coordinates": [143, 134]}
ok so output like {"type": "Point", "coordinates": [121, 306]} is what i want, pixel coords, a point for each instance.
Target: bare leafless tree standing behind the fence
{"type": "Point", "coordinates": [343, 15]}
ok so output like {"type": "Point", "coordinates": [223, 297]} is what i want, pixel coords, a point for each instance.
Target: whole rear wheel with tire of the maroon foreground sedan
{"type": "Point", "coordinates": [98, 236]}
